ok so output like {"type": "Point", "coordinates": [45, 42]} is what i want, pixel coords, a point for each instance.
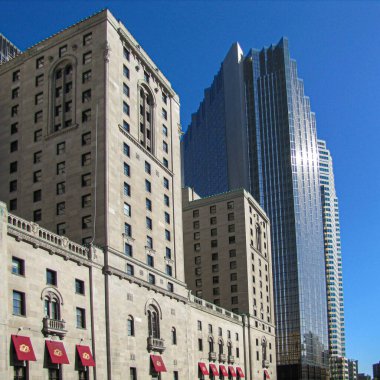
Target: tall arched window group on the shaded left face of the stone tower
{"type": "Point", "coordinates": [63, 96]}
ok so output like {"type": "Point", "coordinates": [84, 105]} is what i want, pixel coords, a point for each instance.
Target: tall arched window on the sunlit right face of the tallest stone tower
{"type": "Point", "coordinates": [146, 130]}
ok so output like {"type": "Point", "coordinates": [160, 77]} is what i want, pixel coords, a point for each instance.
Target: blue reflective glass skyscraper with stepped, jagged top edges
{"type": "Point", "coordinates": [255, 129]}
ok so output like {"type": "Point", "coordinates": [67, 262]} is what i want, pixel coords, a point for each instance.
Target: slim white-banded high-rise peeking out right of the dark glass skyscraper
{"type": "Point", "coordinates": [333, 258]}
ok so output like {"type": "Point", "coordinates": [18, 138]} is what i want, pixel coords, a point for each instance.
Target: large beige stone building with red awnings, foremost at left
{"type": "Point", "coordinates": [92, 257]}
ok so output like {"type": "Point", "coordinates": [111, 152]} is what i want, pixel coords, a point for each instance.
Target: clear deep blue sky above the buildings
{"type": "Point", "coordinates": [337, 48]}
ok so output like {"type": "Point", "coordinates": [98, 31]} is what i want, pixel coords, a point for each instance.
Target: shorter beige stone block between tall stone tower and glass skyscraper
{"type": "Point", "coordinates": [228, 263]}
